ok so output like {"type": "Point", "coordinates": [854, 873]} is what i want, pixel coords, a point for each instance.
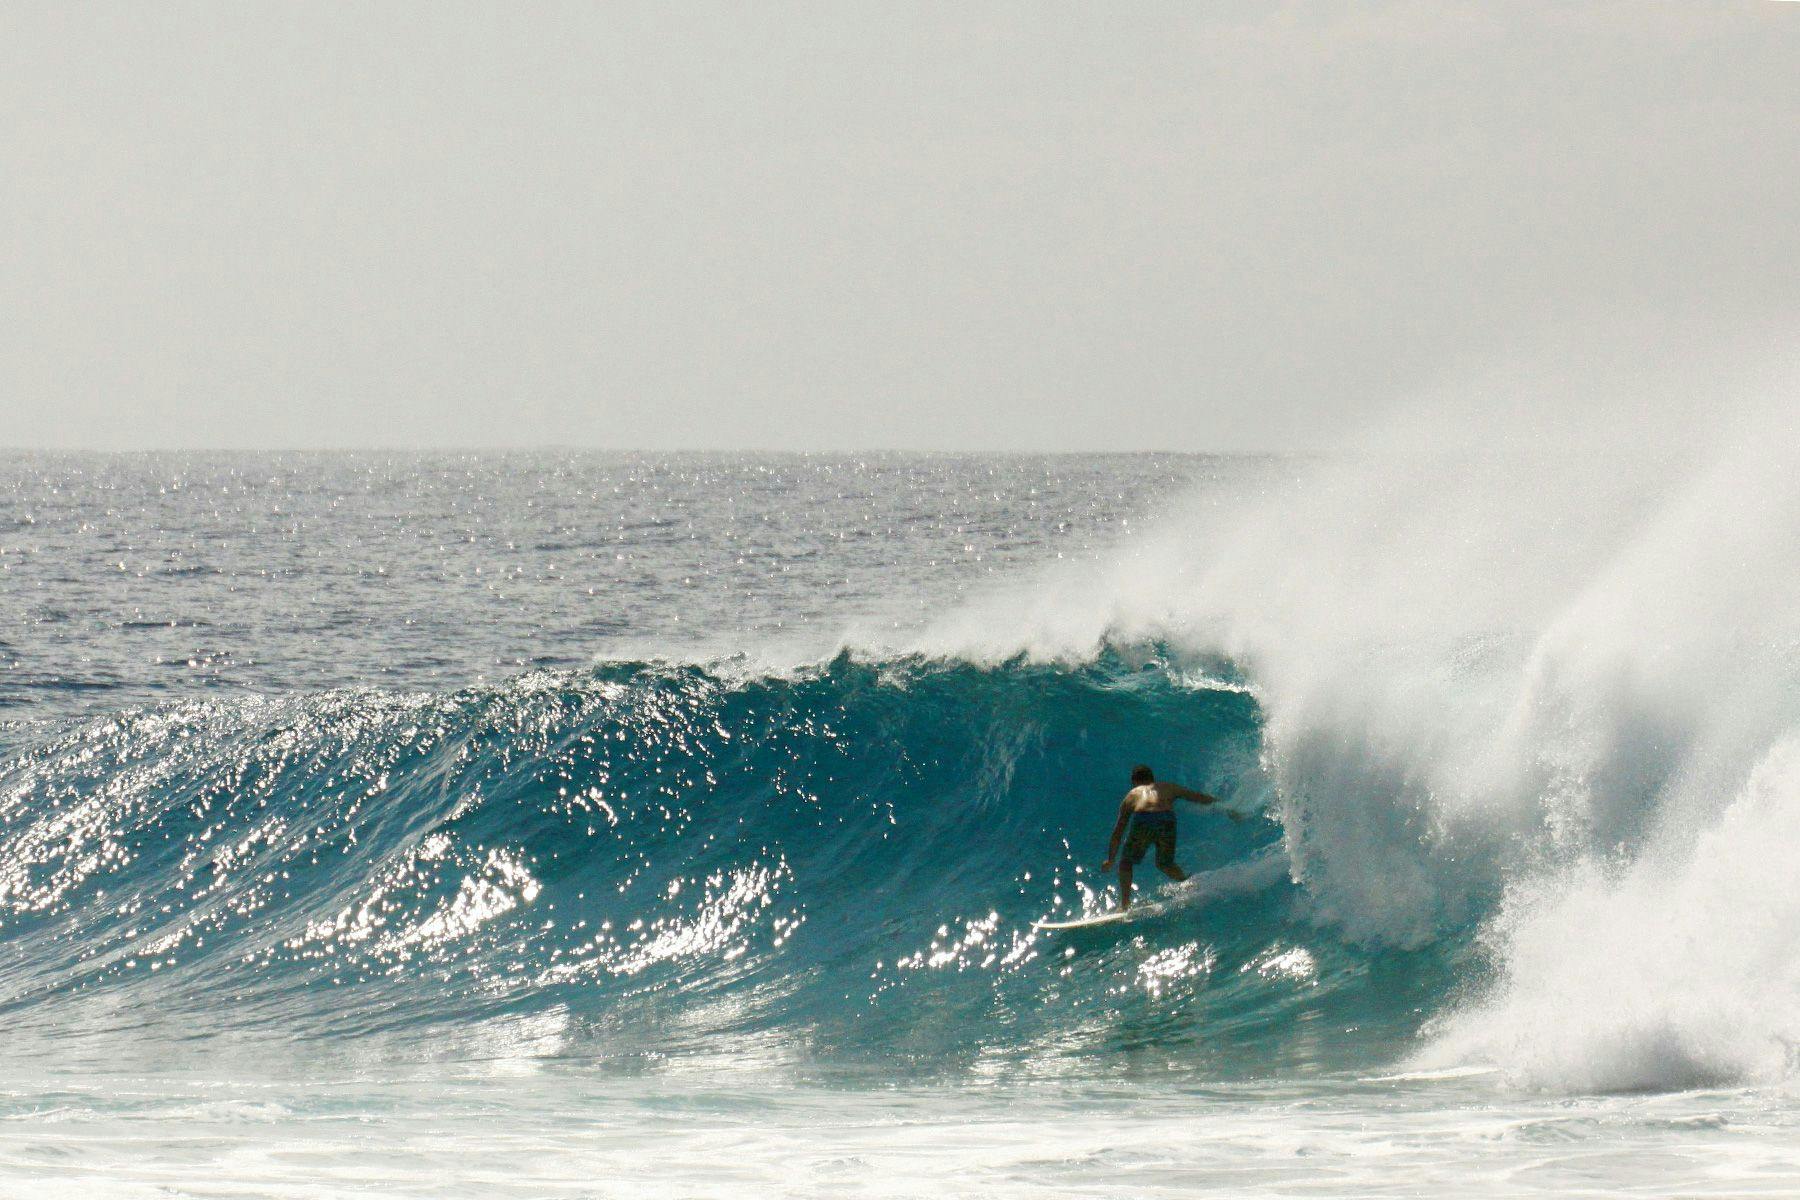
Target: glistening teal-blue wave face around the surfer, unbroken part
{"type": "Point", "coordinates": [834, 868]}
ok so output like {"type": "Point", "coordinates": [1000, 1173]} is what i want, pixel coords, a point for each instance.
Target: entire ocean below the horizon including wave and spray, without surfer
{"type": "Point", "coordinates": [584, 825]}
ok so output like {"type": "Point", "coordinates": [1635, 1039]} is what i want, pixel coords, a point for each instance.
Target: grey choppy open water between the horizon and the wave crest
{"type": "Point", "coordinates": [136, 578]}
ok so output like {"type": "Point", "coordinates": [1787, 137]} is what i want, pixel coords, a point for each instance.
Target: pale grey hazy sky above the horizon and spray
{"type": "Point", "coordinates": [859, 226]}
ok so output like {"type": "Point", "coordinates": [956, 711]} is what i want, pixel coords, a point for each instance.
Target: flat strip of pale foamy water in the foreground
{"type": "Point", "coordinates": [555, 1134]}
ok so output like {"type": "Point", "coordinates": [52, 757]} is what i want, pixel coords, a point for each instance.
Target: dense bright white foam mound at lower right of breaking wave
{"type": "Point", "coordinates": [1678, 969]}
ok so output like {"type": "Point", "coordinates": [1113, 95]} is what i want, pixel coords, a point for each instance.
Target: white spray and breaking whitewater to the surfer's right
{"type": "Point", "coordinates": [1516, 690]}
